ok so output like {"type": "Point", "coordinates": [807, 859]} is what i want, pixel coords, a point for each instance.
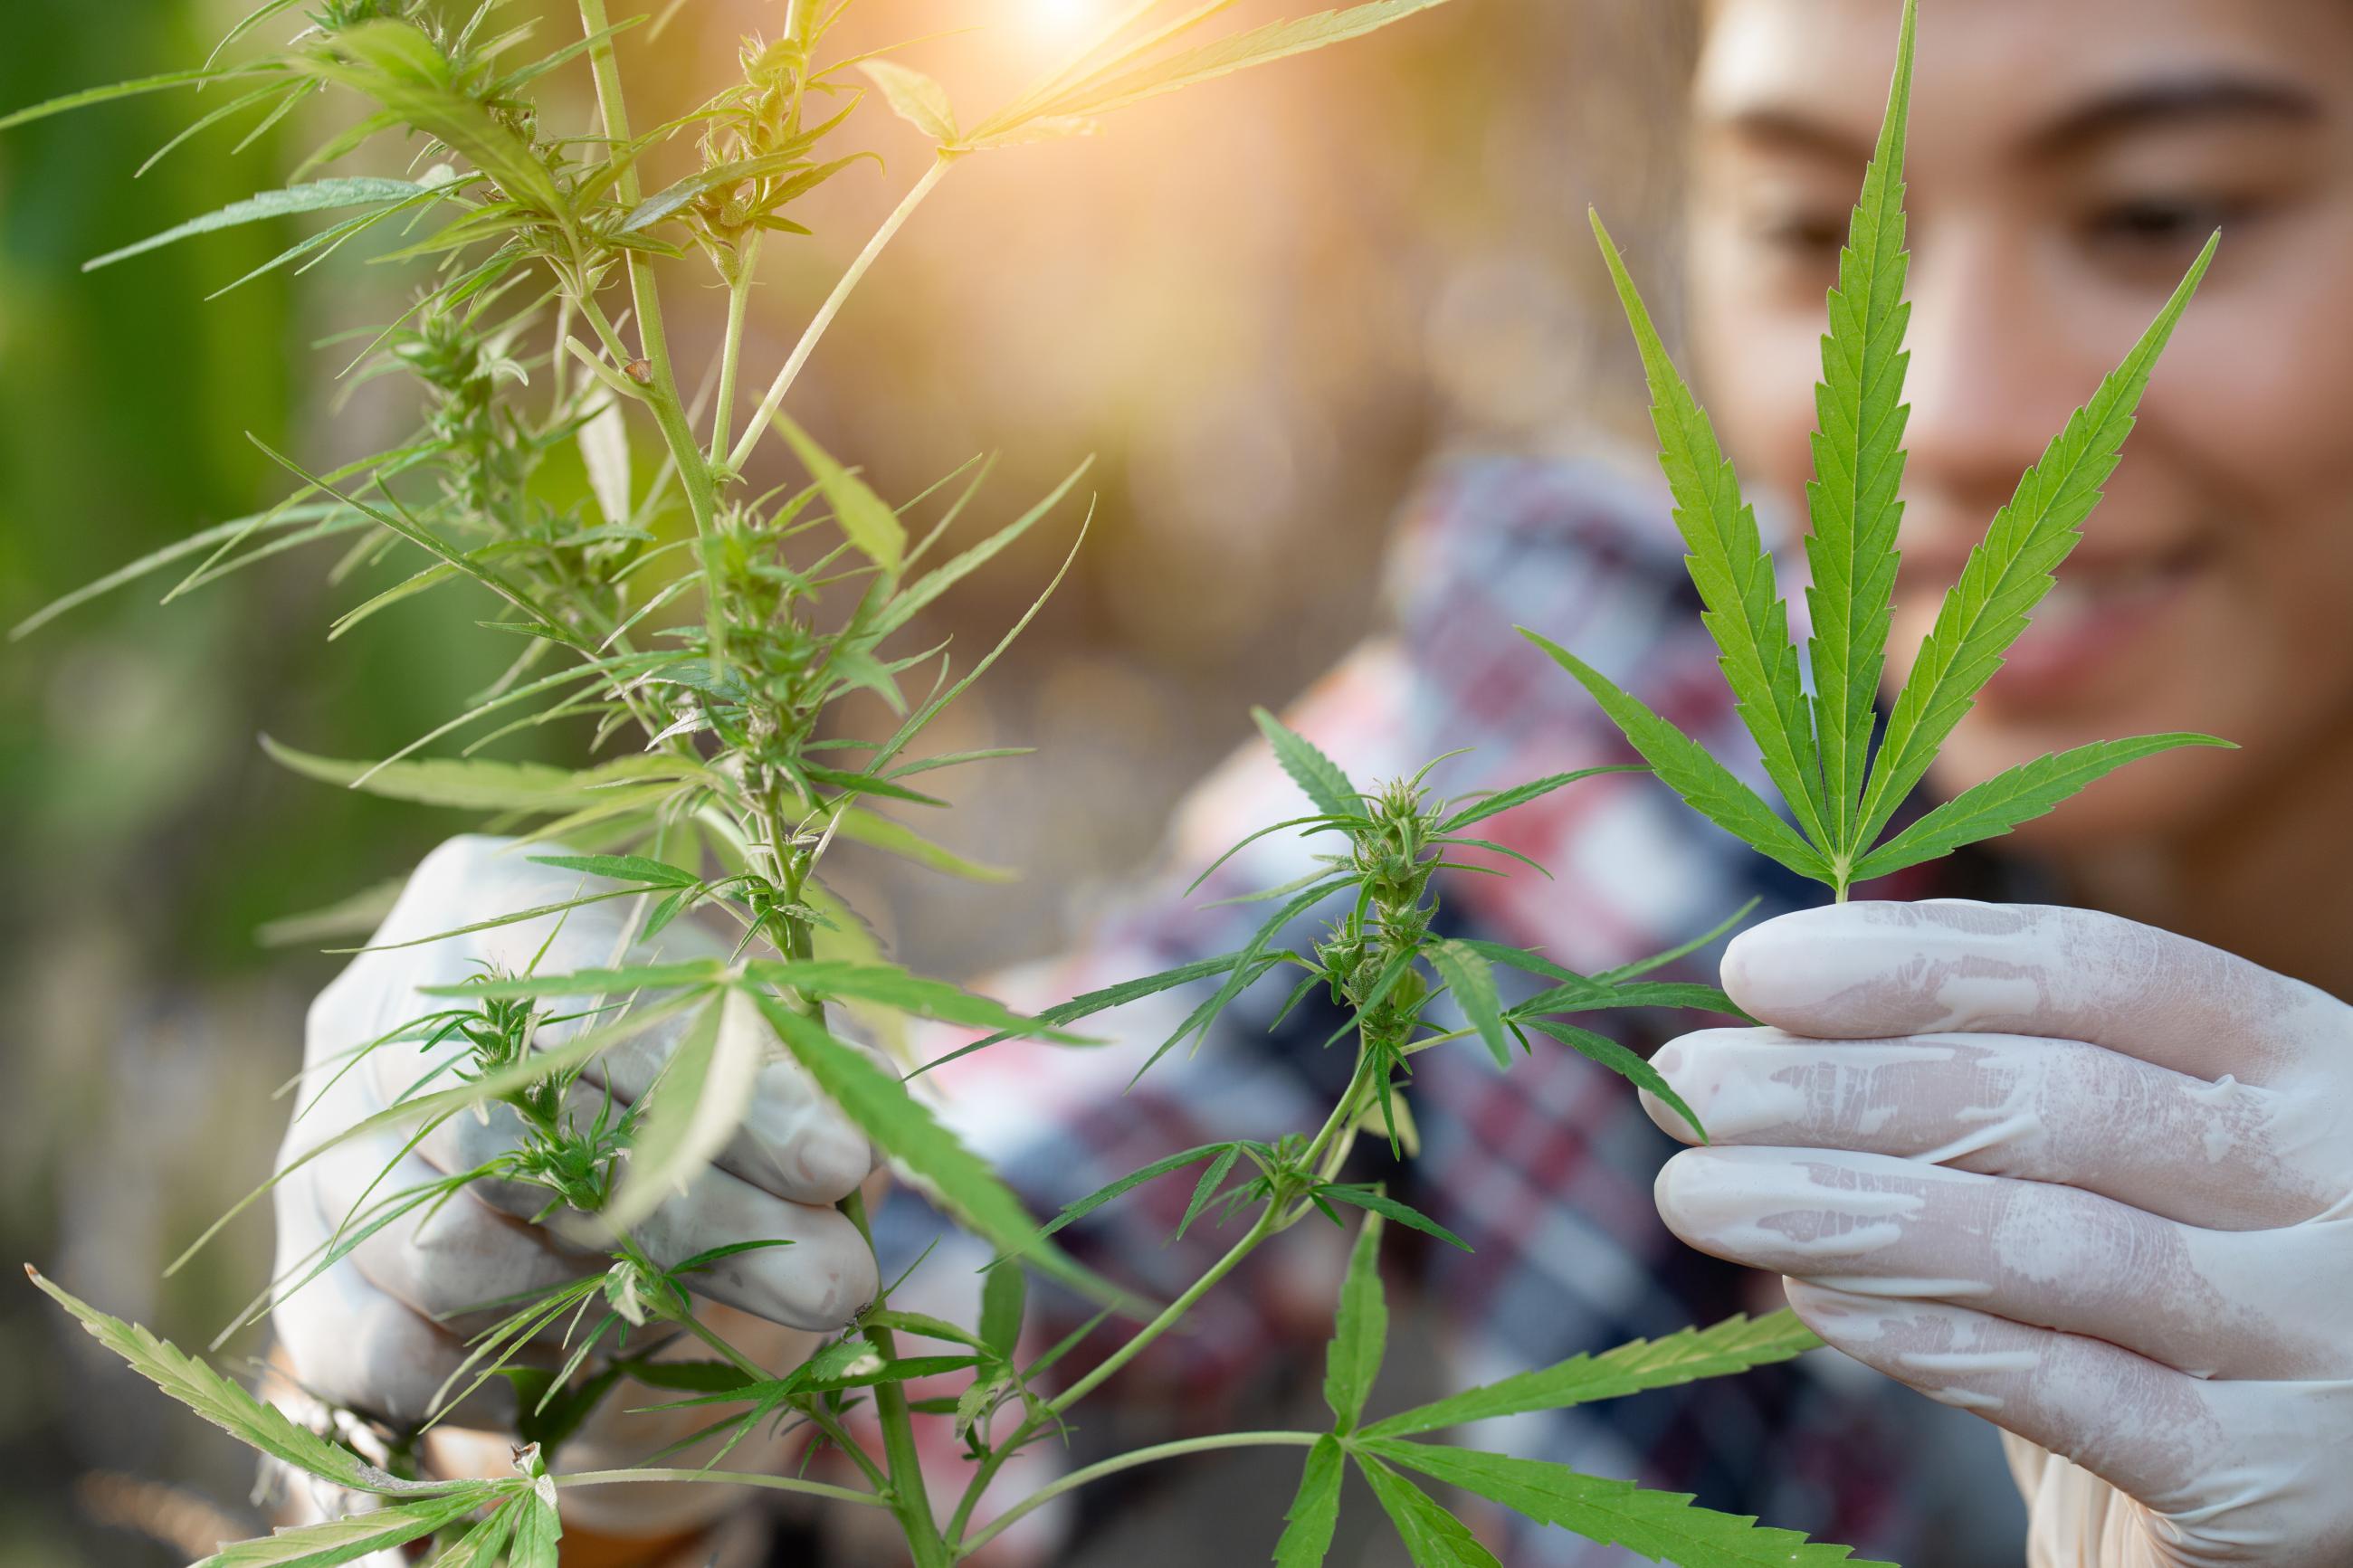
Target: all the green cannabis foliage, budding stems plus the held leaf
{"type": "Point", "coordinates": [709, 664]}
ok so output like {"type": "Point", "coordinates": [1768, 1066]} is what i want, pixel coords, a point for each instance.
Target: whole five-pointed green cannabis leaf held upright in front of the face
{"type": "Point", "coordinates": [1818, 749]}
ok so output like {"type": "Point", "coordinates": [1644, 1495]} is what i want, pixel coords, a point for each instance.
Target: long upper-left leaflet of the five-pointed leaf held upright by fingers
{"type": "Point", "coordinates": [1731, 568]}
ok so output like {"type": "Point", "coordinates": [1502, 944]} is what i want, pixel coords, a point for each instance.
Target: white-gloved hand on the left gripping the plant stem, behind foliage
{"type": "Point", "coordinates": [389, 1325]}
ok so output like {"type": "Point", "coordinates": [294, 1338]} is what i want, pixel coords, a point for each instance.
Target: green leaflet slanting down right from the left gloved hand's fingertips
{"type": "Point", "coordinates": [926, 1148]}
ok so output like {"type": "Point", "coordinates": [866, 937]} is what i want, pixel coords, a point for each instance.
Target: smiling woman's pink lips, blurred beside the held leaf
{"type": "Point", "coordinates": [2095, 619]}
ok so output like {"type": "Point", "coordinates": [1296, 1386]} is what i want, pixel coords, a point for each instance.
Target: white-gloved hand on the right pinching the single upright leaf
{"type": "Point", "coordinates": [2079, 1177]}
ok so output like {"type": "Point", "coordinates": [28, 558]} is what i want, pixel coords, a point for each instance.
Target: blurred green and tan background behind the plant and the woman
{"type": "Point", "coordinates": [1265, 307]}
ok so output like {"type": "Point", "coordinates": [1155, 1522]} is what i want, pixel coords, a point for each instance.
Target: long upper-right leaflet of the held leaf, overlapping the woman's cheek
{"type": "Point", "coordinates": [2011, 572]}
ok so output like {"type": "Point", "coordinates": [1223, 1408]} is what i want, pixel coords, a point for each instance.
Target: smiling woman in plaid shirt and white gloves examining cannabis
{"type": "Point", "coordinates": [2088, 1179]}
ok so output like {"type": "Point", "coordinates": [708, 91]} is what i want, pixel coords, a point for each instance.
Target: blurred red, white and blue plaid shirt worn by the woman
{"type": "Point", "coordinates": [1545, 1170]}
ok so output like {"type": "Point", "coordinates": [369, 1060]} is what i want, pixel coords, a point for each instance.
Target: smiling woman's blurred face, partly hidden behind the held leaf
{"type": "Point", "coordinates": [2067, 161]}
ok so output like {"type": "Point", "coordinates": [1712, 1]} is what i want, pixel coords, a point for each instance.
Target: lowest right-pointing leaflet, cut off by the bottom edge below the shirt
{"type": "Point", "coordinates": [1613, 1513]}
